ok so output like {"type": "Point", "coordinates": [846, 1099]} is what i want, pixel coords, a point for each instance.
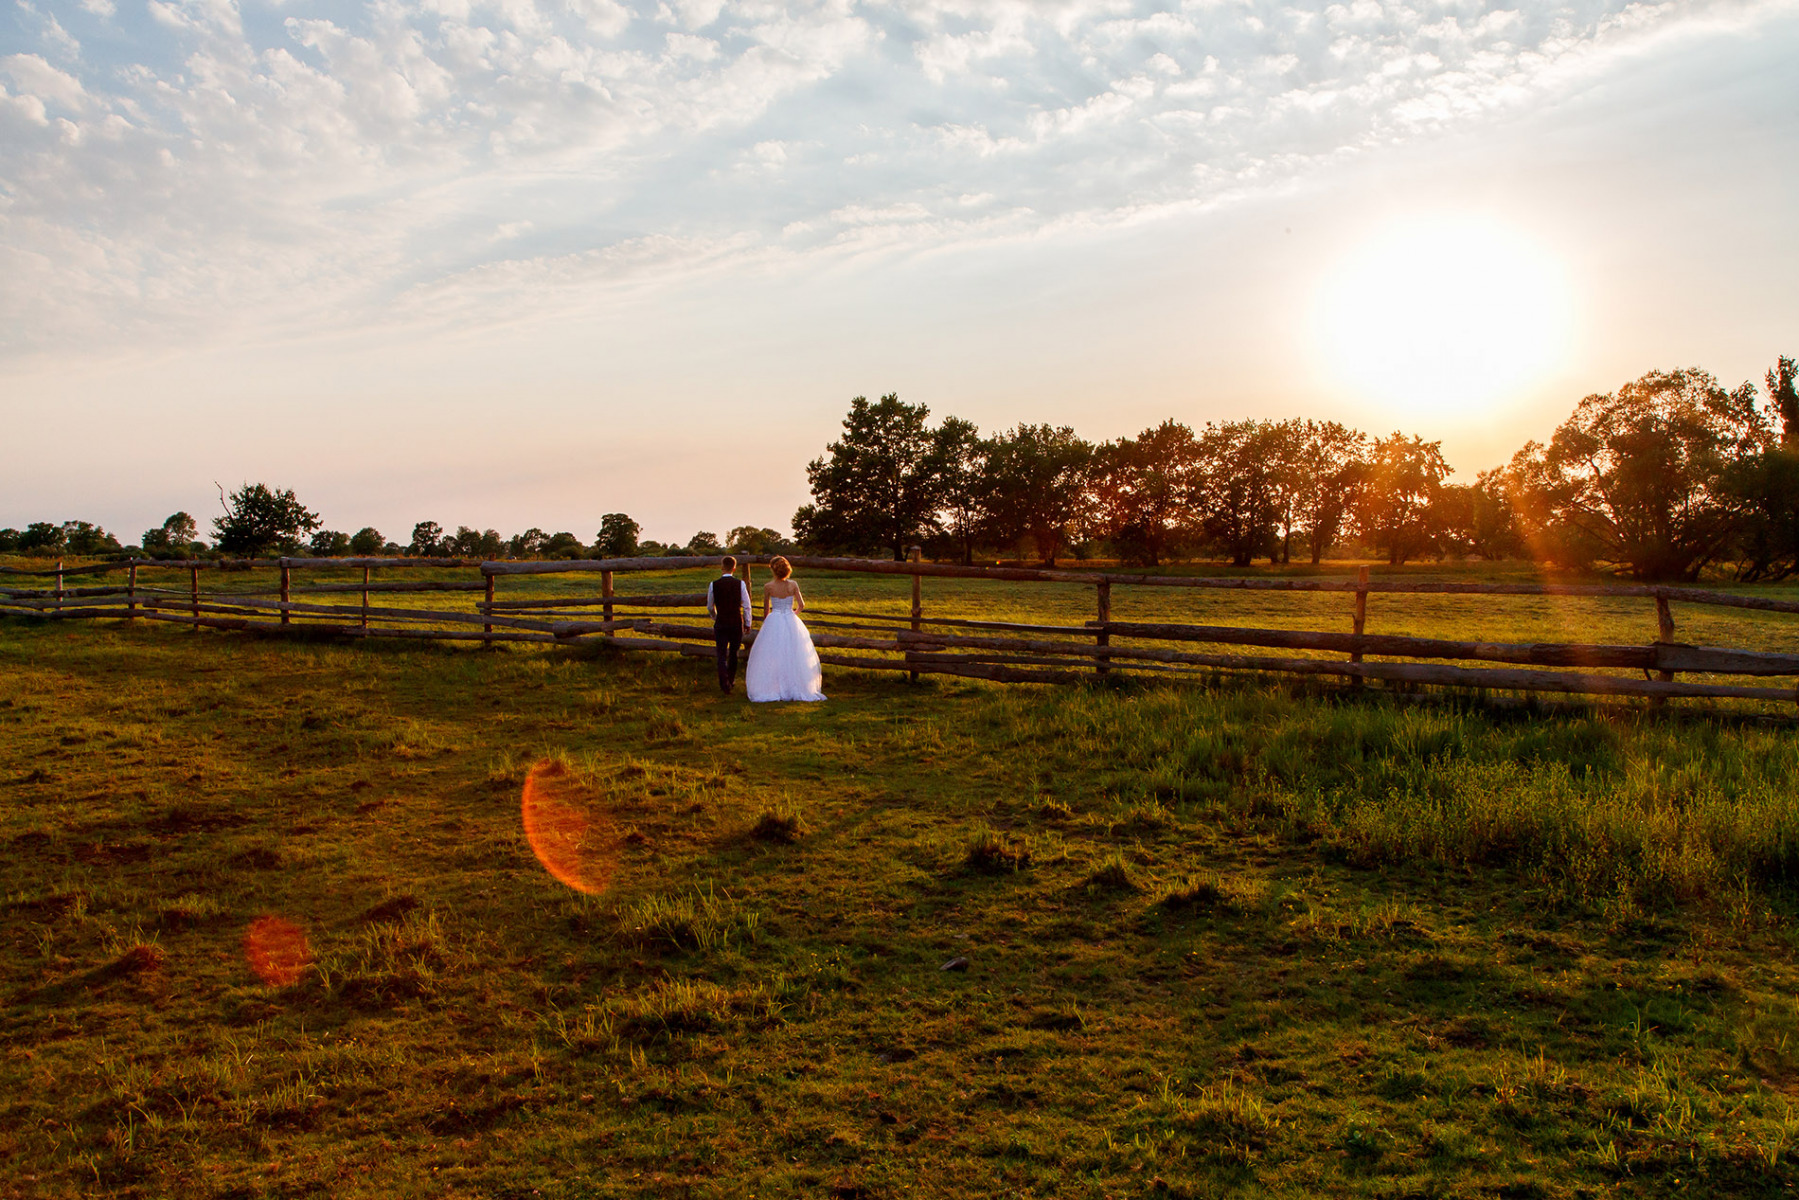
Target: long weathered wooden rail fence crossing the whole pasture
{"type": "Point", "coordinates": [918, 645]}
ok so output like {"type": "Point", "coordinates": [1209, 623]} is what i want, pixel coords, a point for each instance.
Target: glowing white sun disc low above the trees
{"type": "Point", "coordinates": [1438, 314]}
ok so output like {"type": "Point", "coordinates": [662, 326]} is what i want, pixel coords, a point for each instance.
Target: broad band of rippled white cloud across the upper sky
{"type": "Point", "coordinates": [350, 163]}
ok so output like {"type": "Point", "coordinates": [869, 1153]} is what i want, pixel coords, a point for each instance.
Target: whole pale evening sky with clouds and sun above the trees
{"type": "Point", "coordinates": [532, 262]}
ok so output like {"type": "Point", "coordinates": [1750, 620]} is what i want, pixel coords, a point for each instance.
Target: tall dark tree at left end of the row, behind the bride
{"type": "Point", "coordinates": [879, 487]}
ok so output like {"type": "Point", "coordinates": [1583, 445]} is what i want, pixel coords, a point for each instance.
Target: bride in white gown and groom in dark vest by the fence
{"type": "Point", "coordinates": [783, 663]}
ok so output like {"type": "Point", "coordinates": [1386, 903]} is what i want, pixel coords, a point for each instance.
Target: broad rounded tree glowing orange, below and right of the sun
{"type": "Point", "coordinates": [1645, 474]}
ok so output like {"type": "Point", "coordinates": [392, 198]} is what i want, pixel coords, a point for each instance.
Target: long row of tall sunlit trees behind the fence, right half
{"type": "Point", "coordinates": [1663, 479]}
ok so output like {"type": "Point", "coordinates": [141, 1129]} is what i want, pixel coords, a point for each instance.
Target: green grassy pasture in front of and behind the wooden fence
{"type": "Point", "coordinates": [1230, 940]}
